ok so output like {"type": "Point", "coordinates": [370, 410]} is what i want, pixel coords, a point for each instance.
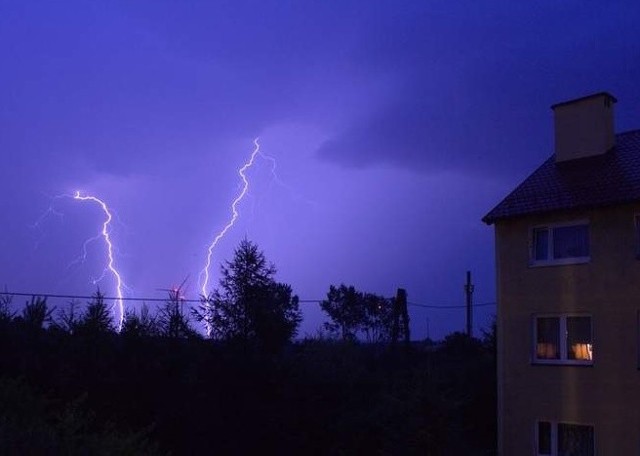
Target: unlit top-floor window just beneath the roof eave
{"type": "Point", "coordinates": [560, 244]}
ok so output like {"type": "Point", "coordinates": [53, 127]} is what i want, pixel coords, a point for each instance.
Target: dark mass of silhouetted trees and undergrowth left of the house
{"type": "Point", "coordinates": [70, 384]}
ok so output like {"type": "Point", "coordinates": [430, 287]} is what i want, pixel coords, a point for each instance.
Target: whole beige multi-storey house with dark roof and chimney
{"type": "Point", "coordinates": [568, 285]}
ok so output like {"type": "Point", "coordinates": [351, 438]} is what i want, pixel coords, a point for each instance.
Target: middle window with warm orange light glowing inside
{"type": "Point", "coordinates": [565, 339]}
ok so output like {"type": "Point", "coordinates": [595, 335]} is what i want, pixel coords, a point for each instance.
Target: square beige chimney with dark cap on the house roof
{"type": "Point", "coordinates": [584, 126]}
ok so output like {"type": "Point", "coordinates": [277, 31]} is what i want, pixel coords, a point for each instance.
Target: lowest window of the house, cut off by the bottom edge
{"type": "Point", "coordinates": [564, 439]}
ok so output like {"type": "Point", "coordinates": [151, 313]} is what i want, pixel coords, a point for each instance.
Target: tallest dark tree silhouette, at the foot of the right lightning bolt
{"type": "Point", "coordinates": [250, 306]}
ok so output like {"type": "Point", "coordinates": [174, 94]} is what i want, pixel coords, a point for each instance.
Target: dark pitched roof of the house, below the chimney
{"type": "Point", "coordinates": [610, 178]}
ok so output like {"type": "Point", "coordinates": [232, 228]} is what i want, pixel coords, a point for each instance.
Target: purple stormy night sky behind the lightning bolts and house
{"type": "Point", "coordinates": [395, 125]}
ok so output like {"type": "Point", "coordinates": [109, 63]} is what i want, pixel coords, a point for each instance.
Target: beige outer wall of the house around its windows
{"type": "Point", "coordinates": [605, 394]}
